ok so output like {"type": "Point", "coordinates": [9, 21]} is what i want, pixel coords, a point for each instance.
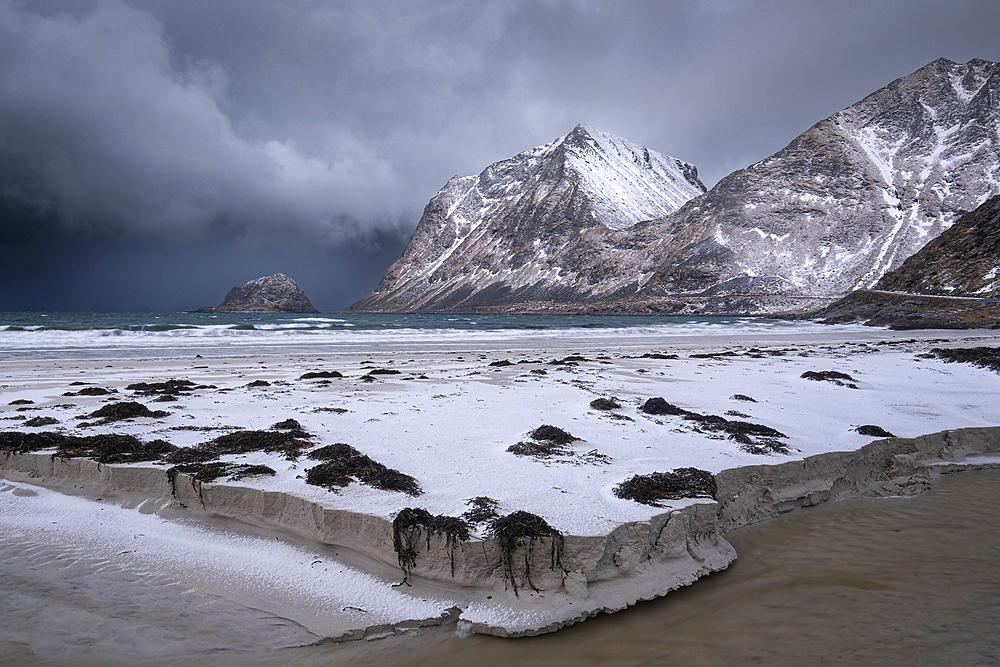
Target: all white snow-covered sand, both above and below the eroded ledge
{"type": "Point", "coordinates": [448, 417]}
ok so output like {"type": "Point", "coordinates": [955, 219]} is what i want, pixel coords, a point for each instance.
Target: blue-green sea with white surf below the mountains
{"type": "Point", "coordinates": [94, 336]}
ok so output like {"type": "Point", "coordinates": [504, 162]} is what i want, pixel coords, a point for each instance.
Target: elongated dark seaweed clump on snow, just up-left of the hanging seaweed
{"type": "Point", "coordinates": [343, 464]}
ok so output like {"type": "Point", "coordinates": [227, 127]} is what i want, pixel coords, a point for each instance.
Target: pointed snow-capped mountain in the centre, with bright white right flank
{"type": "Point", "coordinates": [522, 229]}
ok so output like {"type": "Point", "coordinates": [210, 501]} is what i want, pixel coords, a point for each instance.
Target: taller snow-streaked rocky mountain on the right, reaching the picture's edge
{"type": "Point", "coordinates": [853, 196]}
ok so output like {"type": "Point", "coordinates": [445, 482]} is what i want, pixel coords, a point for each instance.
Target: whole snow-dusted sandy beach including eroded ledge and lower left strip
{"type": "Point", "coordinates": [445, 413]}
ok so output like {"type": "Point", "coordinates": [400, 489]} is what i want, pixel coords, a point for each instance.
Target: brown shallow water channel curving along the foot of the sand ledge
{"type": "Point", "coordinates": [899, 581]}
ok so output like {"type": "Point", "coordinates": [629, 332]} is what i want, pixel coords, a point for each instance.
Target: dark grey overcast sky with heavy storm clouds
{"type": "Point", "coordinates": [155, 153]}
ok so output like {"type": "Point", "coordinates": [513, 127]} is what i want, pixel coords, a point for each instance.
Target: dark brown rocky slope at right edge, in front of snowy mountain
{"type": "Point", "coordinates": [951, 283]}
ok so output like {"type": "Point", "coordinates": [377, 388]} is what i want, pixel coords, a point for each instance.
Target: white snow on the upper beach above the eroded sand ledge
{"type": "Point", "coordinates": [447, 419]}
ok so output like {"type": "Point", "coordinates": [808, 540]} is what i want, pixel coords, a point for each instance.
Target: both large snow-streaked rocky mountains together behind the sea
{"type": "Point", "coordinates": [844, 203]}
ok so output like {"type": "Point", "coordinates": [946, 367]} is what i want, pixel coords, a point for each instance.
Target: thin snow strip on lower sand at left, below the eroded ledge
{"type": "Point", "coordinates": [292, 582]}
